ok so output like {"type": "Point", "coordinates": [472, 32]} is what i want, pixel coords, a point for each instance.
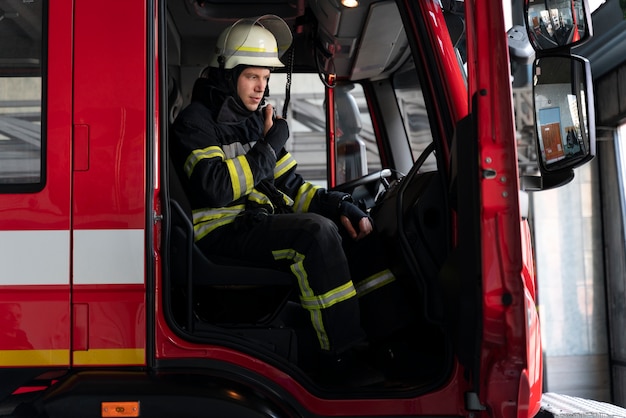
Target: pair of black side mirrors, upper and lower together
{"type": "Point", "coordinates": [562, 90]}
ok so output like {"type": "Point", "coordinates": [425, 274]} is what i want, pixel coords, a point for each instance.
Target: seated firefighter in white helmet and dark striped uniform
{"type": "Point", "coordinates": [248, 201]}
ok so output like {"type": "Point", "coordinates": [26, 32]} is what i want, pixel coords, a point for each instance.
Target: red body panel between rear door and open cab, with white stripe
{"type": "Point", "coordinates": [109, 198]}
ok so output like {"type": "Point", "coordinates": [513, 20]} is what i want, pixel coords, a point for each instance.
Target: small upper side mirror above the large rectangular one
{"type": "Point", "coordinates": [557, 24]}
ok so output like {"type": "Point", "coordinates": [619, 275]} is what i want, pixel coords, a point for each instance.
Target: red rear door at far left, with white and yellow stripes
{"type": "Point", "coordinates": [35, 222]}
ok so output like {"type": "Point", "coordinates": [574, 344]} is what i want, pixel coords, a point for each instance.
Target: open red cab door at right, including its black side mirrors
{"type": "Point", "coordinates": [510, 365]}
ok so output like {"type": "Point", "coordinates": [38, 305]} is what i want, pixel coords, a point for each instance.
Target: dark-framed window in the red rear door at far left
{"type": "Point", "coordinates": [21, 89]}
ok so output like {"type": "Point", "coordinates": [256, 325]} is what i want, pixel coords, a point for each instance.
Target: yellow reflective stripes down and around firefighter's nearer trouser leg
{"type": "Point", "coordinates": [312, 303]}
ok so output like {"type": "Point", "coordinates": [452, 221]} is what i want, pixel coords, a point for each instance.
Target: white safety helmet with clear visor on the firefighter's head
{"type": "Point", "coordinates": [258, 42]}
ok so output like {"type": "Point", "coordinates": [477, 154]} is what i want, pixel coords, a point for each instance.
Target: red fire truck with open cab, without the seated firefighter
{"type": "Point", "coordinates": [108, 309]}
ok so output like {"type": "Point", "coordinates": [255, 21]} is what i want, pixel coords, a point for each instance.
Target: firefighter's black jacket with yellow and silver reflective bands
{"type": "Point", "coordinates": [219, 147]}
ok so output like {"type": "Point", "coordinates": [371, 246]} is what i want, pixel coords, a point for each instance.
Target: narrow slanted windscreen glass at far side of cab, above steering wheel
{"type": "Point", "coordinates": [414, 115]}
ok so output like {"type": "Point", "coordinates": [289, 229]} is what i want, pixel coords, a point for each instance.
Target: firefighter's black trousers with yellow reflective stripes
{"type": "Point", "coordinates": [310, 247]}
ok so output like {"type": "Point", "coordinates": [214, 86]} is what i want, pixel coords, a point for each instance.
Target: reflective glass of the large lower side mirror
{"type": "Point", "coordinates": [565, 130]}
